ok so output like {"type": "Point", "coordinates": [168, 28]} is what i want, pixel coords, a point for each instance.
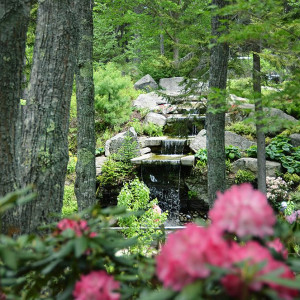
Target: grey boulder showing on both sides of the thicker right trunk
{"type": "Point", "coordinates": [230, 139]}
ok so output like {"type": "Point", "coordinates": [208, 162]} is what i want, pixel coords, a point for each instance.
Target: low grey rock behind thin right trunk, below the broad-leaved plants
{"type": "Point", "coordinates": [250, 164]}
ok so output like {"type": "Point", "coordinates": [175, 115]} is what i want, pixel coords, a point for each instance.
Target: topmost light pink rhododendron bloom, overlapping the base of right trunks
{"type": "Point", "coordinates": [243, 211]}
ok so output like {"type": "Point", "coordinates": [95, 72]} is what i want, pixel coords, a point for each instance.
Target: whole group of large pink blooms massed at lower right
{"type": "Point", "coordinates": [245, 212]}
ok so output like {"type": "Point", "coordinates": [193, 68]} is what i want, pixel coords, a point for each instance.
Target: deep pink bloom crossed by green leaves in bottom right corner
{"type": "Point", "coordinates": [247, 276]}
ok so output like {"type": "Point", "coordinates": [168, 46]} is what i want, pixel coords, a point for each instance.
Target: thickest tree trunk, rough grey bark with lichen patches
{"type": "Point", "coordinates": [45, 129]}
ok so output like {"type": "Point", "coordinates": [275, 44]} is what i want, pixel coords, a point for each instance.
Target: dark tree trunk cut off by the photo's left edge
{"type": "Point", "coordinates": [14, 17]}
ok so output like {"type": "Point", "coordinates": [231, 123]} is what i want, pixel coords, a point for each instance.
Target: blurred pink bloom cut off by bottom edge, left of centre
{"type": "Point", "coordinates": [97, 285]}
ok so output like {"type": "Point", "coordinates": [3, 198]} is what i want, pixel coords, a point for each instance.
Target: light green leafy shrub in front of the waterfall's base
{"type": "Point", "coordinates": [134, 196]}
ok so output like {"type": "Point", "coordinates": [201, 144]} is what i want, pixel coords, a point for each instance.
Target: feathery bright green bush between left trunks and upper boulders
{"type": "Point", "coordinates": [113, 95]}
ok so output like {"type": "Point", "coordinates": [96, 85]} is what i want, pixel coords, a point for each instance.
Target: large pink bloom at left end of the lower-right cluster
{"type": "Point", "coordinates": [184, 257]}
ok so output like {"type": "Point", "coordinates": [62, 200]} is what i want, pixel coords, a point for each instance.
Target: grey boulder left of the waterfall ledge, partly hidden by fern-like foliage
{"type": "Point", "coordinates": [114, 144]}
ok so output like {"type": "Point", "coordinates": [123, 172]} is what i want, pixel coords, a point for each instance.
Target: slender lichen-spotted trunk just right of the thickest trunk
{"type": "Point", "coordinates": [85, 186]}
